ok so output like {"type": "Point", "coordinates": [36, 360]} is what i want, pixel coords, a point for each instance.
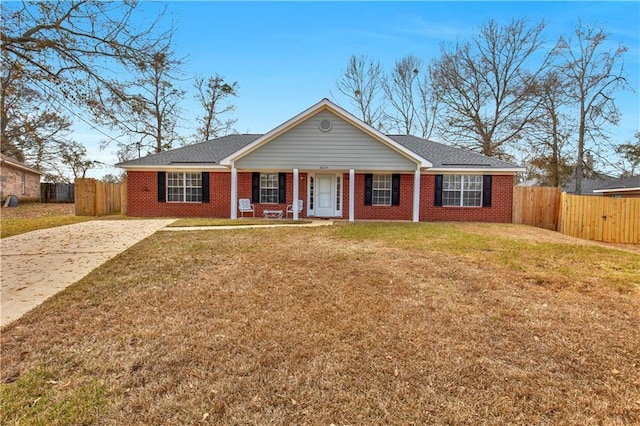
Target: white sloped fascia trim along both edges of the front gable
{"type": "Point", "coordinates": [325, 104]}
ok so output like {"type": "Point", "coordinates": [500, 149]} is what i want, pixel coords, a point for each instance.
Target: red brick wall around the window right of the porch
{"type": "Point", "coordinates": [500, 210]}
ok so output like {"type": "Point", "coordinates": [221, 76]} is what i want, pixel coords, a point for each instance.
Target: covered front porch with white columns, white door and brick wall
{"type": "Point", "coordinates": [347, 194]}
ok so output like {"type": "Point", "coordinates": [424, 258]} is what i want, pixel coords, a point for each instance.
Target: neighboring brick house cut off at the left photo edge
{"type": "Point", "coordinates": [16, 178]}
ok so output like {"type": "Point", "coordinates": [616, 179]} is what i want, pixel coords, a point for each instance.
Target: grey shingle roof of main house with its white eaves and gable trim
{"type": "Point", "coordinates": [220, 153]}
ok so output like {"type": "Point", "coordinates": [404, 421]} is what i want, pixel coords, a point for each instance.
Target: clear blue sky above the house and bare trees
{"type": "Point", "coordinates": [286, 56]}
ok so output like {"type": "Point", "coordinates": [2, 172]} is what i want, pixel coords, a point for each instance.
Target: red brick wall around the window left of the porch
{"type": "Point", "coordinates": [142, 198]}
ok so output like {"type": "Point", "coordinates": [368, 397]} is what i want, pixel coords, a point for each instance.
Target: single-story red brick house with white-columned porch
{"type": "Point", "coordinates": [339, 166]}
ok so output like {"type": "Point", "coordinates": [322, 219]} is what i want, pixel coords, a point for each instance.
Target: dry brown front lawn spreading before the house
{"type": "Point", "coordinates": [346, 325]}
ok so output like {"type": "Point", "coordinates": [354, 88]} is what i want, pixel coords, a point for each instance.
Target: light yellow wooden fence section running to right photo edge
{"type": "Point", "coordinates": [613, 220]}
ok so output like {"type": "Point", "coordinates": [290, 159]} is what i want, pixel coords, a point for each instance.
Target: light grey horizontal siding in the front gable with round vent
{"type": "Point", "coordinates": [342, 148]}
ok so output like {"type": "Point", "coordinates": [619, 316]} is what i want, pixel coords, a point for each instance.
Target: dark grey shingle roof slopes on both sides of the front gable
{"type": "Point", "coordinates": [213, 151]}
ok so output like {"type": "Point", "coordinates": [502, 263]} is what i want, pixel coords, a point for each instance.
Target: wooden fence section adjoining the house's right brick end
{"type": "Point", "coordinates": [536, 206]}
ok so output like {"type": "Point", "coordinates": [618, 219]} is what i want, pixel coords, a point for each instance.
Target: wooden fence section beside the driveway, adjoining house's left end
{"type": "Point", "coordinates": [94, 198]}
